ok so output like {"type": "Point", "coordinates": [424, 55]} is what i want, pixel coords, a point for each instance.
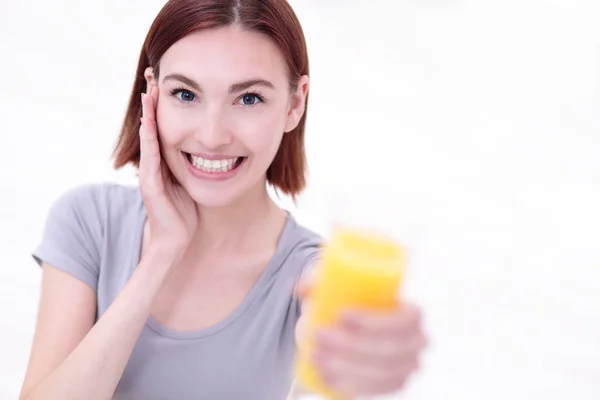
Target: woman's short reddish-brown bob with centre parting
{"type": "Point", "coordinates": [178, 18]}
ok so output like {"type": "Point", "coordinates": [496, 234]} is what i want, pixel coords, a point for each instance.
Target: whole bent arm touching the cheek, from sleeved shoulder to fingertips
{"type": "Point", "coordinates": [73, 358]}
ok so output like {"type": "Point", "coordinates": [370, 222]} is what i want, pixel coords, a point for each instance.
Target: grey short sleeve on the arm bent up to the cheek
{"type": "Point", "coordinates": [72, 235]}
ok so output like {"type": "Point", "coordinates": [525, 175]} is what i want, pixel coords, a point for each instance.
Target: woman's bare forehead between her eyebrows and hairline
{"type": "Point", "coordinates": [225, 55]}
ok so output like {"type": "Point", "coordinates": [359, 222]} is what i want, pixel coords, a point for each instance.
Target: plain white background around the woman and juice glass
{"type": "Point", "coordinates": [478, 119]}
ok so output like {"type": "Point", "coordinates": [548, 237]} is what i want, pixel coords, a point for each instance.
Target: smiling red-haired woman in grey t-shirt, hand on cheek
{"type": "Point", "coordinates": [183, 287]}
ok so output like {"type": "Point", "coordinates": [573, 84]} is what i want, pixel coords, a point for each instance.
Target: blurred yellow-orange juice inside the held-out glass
{"type": "Point", "coordinates": [358, 269]}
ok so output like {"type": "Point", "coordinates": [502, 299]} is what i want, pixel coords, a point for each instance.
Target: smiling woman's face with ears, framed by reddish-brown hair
{"type": "Point", "coordinates": [224, 105]}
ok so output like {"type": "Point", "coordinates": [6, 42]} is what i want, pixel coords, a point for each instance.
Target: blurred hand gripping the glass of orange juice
{"type": "Point", "coordinates": [369, 353]}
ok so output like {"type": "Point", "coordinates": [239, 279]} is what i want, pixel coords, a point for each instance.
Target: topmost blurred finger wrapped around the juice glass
{"type": "Point", "coordinates": [405, 319]}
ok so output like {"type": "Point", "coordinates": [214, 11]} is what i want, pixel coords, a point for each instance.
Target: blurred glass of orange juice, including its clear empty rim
{"type": "Point", "coordinates": [363, 264]}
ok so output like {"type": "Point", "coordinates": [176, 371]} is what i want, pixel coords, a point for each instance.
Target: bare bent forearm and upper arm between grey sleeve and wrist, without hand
{"type": "Point", "coordinates": [71, 357]}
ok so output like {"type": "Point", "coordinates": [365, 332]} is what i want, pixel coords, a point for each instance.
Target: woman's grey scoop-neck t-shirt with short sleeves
{"type": "Point", "coordinates": [94, 232]}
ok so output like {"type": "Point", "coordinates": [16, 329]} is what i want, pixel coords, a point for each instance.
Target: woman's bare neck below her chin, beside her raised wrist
{"type": "Point", "coordinates": [235, 226]}
